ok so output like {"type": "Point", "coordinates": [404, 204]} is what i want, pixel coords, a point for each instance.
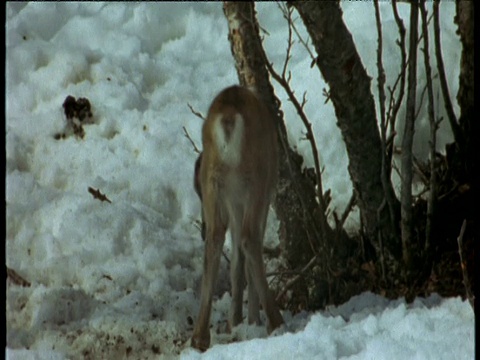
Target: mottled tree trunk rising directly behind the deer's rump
{"type": "Point", "coordinates": [294, 203]}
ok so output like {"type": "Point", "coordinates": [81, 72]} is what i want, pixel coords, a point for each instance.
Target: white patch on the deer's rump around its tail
{"type": "Point", "coordinates": [229, 149]}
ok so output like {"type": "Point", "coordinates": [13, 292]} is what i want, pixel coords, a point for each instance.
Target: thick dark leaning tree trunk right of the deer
{"type": "Point", "coordinates": [350, 93]}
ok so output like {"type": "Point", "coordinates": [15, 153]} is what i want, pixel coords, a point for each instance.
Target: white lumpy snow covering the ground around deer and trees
{"type": "Point", "coordinates": [121, 279]}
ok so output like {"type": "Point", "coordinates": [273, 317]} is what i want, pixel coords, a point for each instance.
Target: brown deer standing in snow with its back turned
{"type": "Point", "coordinates": [235, 178]}
